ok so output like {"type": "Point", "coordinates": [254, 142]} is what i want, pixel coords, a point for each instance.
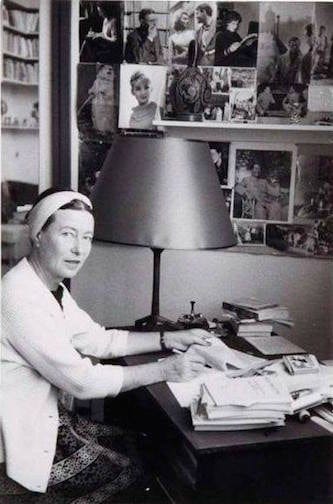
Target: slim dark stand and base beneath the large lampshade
{"type": "Point", "coordinates": [154, 322]}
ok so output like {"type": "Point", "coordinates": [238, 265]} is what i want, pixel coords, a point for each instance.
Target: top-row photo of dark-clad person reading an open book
{"type": "Point", "coordinates": [237, 34]}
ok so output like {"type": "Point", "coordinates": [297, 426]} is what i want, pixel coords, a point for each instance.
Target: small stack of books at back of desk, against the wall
{"type": "Point", "coordinates": [246, 309]}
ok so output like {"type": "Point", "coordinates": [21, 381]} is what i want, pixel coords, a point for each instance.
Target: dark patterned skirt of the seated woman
{"type": "Point", "coordinates": [92, 463]}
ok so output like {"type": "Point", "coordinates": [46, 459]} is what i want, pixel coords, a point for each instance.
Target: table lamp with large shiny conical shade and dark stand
{"type": "Point", "coordinates": [161, 193]}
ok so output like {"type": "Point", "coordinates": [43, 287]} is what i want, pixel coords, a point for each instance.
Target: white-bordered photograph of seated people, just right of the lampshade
{"type": "Point", "coordinates": [263, 181]}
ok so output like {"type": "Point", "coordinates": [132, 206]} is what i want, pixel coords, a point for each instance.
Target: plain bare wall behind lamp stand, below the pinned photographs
{"type": "Point", "coordinates": [116, 283]}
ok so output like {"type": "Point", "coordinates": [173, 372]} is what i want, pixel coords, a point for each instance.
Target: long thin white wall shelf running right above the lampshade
{"type": "Point", "coordinates": [244, 126]}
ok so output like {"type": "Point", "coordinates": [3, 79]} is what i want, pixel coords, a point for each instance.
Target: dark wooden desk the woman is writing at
{"type": "Point", "coordinates": [290, 464]}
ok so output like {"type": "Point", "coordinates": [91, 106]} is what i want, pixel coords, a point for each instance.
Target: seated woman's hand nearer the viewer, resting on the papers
{"type": "Point", "coordinates": [183, 367]}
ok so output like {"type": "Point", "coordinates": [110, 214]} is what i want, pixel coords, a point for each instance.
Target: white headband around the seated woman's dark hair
{"type": "Point", "coordinates": [39, 214]}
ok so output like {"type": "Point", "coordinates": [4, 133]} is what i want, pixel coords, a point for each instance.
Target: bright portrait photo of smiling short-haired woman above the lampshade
{"type": "Point", "coordinates": [142, 94]}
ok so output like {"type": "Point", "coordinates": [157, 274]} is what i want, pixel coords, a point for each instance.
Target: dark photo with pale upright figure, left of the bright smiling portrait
{"type": "Point", "coordinates": [97, 101]}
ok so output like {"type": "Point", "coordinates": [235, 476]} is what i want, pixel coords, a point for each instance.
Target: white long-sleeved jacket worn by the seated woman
{"type": "Point", "coordinates": [40, 355]}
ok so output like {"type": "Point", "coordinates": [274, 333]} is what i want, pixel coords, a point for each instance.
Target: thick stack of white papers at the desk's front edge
{"type": "Point", "coordinates": [241, 403]}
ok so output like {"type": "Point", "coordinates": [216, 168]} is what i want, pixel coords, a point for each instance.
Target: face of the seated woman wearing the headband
{"type": "Point", "coordinates": [65, 244]}
